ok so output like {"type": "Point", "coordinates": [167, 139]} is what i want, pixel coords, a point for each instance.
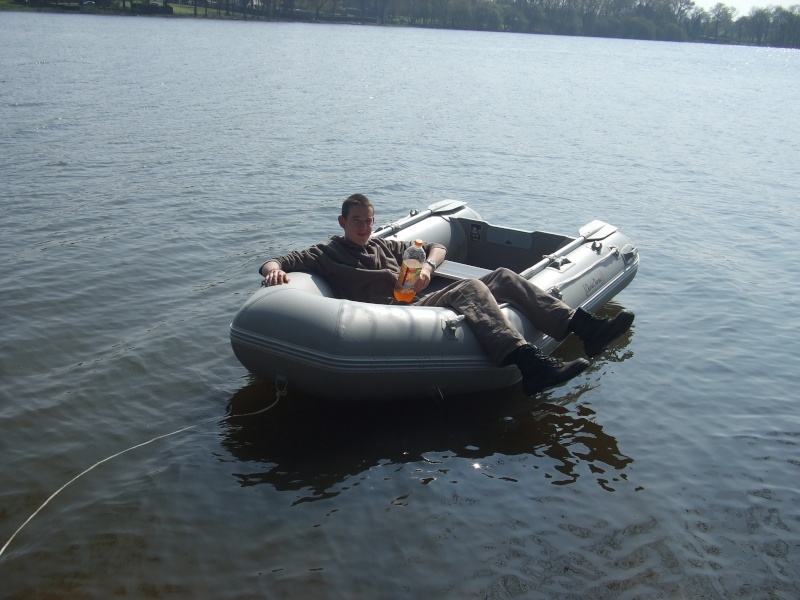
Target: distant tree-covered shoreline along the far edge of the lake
{"type": "Point", "coordinates": [768, 27]}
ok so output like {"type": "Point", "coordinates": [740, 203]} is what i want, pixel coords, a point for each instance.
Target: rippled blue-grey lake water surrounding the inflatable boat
{"type": "Point", "coordinates": [149, 166]}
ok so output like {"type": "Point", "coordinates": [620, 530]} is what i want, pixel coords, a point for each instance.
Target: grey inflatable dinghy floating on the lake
{"type": "Point", "coordinates": [304, 339]}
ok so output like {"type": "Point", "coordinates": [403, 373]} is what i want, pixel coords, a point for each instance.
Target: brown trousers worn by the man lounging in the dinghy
{"type": "Point", "coordinates": [478, 300]}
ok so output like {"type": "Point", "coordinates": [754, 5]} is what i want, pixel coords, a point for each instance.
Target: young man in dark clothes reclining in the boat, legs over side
{"type": "Point", "coordinates": [365, 269]}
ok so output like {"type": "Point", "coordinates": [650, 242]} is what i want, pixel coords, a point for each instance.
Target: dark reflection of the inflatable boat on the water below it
{"type": "Point", "coordinates": [315, 445]}
